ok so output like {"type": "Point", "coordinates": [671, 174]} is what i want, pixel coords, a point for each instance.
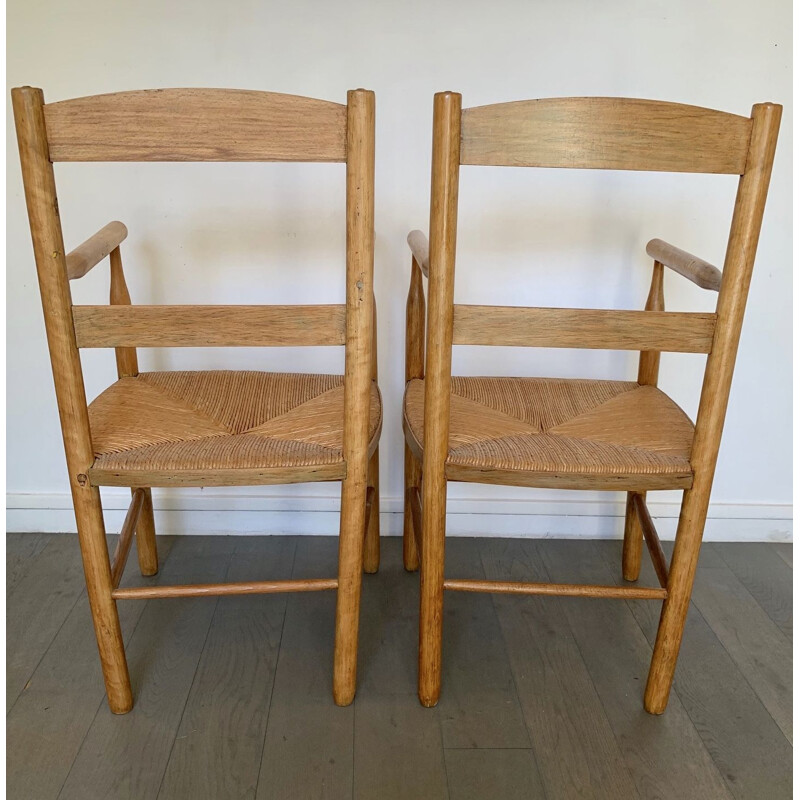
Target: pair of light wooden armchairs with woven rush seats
{"type": "Point", "coordinates": [257, 428]}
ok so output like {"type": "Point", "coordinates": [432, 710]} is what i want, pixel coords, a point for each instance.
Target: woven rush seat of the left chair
{"type": "Point", "coordinates": [163, 427]}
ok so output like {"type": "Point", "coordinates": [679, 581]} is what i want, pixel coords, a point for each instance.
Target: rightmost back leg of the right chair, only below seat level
{"type": "Point", "coordinates": [679, 592]}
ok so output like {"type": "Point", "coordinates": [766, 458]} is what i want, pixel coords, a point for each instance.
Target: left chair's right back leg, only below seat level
{"type": "Point", "coordinates": [351, 554]}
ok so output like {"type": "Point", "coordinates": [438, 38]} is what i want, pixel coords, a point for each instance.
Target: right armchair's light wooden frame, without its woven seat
{"type": "Point", "coordinates": [598, 133]}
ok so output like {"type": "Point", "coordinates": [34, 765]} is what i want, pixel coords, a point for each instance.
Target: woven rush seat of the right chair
{"type": "Point", "coordinates": [617, 431]}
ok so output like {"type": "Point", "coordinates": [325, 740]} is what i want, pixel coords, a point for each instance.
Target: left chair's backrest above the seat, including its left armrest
{"type": "Point", "coordinates": [193, 125]}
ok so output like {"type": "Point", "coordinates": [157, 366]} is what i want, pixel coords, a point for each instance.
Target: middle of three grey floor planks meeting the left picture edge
{"type": "Point", "coordinates": [37, 608]}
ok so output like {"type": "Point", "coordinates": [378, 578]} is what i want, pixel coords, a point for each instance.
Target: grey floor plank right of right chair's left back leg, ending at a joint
{"type": "Point", "coordinates": [479, 706]}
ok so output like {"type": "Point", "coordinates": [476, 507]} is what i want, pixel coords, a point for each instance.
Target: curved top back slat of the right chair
{"type": "Point", "coordinates": [605, 133]}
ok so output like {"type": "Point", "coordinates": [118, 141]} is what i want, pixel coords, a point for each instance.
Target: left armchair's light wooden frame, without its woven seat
{"type": "Point", "coordinates": [202, 125]}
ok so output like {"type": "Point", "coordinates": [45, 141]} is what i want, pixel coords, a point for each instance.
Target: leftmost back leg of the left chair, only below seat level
{"type": "Point", "coordinates": [97, 569]}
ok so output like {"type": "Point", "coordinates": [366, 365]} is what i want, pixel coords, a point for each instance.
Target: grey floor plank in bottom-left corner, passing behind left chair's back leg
{"type": "Point", "coordinates": [48, 722]}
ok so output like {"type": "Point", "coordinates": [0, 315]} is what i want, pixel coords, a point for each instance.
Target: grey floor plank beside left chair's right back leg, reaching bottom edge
{"type": "Point", "coordinates": [308, 748]}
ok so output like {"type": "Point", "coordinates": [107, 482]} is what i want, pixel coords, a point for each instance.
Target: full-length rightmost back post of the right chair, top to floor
{"type": "Point", "coordinates": [737, 271]}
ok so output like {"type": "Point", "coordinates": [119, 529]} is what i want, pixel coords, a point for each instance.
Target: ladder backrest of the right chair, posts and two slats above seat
{"type": "Point", "coordinates": [597, 133]}
